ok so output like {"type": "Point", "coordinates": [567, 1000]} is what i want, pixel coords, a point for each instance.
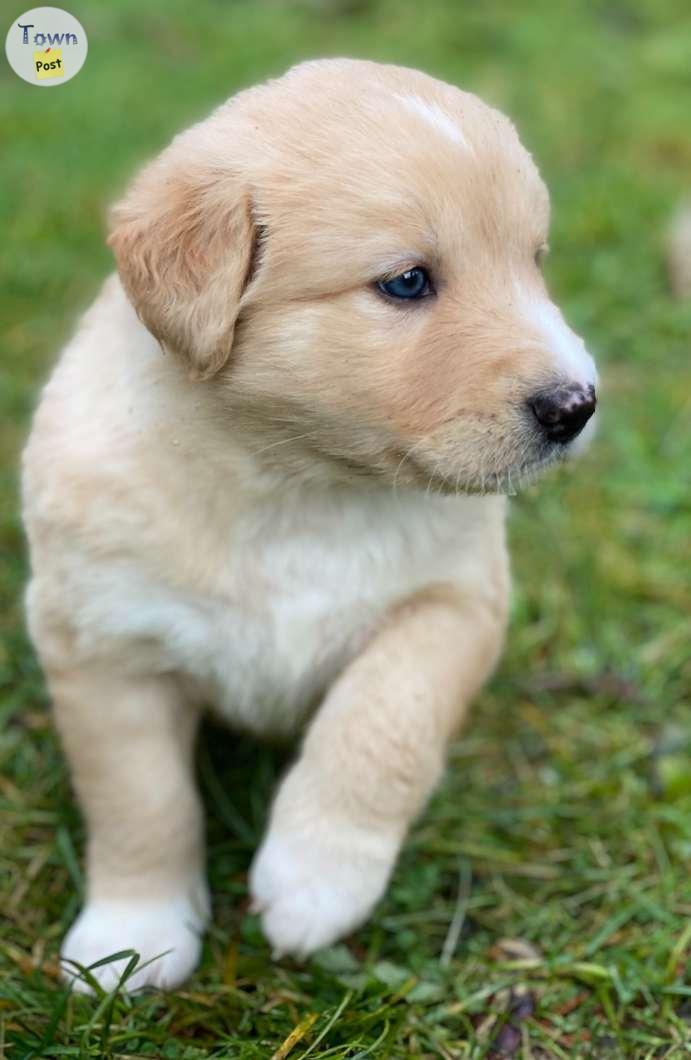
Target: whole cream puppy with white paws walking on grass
{"type": "Point", "coordinates": [267, 476]}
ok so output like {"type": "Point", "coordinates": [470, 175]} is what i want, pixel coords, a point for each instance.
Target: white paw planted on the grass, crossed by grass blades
{"type": "Point", "coordinates": [166, 934]}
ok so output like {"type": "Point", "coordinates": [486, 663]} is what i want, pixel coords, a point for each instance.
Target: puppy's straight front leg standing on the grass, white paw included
{"type": "Point", "coordinates": [130, 743]}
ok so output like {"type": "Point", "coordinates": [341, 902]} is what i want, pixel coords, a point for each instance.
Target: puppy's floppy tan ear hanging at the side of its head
{"type": "Point", "coordinates": [184, 242]}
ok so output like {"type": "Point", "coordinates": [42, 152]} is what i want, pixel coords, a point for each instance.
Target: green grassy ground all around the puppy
{"type": "Point", "coordinates": [543, 905]}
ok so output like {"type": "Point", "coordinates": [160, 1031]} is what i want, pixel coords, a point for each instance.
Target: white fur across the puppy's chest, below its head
{"type": "Point", "coordinates": [302, 587]}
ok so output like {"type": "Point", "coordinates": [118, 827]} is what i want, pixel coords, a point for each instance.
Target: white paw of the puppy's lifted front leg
{"type": "Point", "coordinates": [314, 886]}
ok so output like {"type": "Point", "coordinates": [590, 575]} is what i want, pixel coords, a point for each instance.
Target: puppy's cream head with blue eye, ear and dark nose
{"type": "Point", "coordinates": [353, 253]}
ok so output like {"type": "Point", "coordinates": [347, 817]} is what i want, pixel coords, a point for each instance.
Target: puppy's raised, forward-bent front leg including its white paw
{"type": "Point", "coordinates": [370, 759]}
